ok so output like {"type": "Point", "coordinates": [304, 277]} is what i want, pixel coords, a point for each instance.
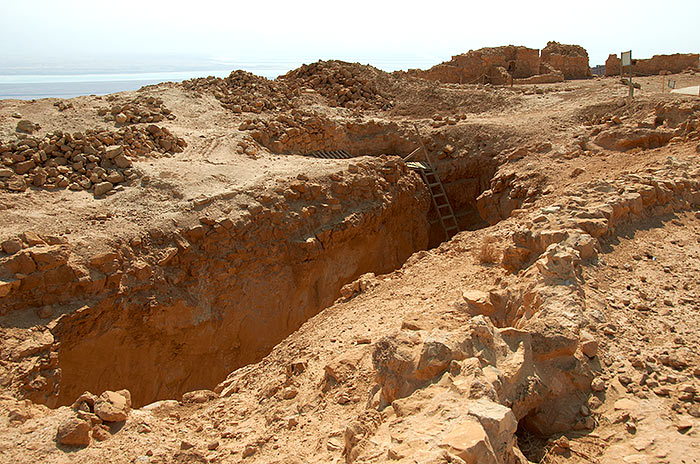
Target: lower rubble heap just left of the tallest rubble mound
{"type": "Point", "coordinates": [244, 92]}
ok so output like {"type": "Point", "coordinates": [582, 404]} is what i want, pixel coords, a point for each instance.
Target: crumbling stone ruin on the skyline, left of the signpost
{"type": "Point", "coordinates": [512, 64]}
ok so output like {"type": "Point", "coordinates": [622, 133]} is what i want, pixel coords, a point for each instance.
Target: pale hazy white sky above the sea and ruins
{"type": "Point", "coordinates": [74, 30]}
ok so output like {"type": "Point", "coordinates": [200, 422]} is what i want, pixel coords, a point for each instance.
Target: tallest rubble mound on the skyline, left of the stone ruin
{"type": "Point", "coordinates": [348, 85]}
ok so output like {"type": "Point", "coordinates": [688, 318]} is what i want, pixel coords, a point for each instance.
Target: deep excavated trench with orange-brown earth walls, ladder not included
{"type": "Point", "coordinates": [191, 306]}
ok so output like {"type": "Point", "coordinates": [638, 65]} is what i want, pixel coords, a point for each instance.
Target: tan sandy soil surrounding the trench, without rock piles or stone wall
{"type": "Point", "coordinates": [639, 292]}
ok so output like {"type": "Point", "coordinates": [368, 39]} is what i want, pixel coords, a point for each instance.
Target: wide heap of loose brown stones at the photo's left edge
{"type": "Point", "coordinates": [92, 160]}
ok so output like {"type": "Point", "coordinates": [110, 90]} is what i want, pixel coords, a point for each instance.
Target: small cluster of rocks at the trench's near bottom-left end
{"type": "Point", "coordinates": [93, 415]}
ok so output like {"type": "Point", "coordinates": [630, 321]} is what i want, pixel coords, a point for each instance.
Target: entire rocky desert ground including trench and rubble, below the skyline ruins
{"type": "Point", "coordinates": [186, 276]}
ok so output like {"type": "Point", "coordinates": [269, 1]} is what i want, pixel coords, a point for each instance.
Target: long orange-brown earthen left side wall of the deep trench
{"type": "Point", "coordinates": [177, 311]}
